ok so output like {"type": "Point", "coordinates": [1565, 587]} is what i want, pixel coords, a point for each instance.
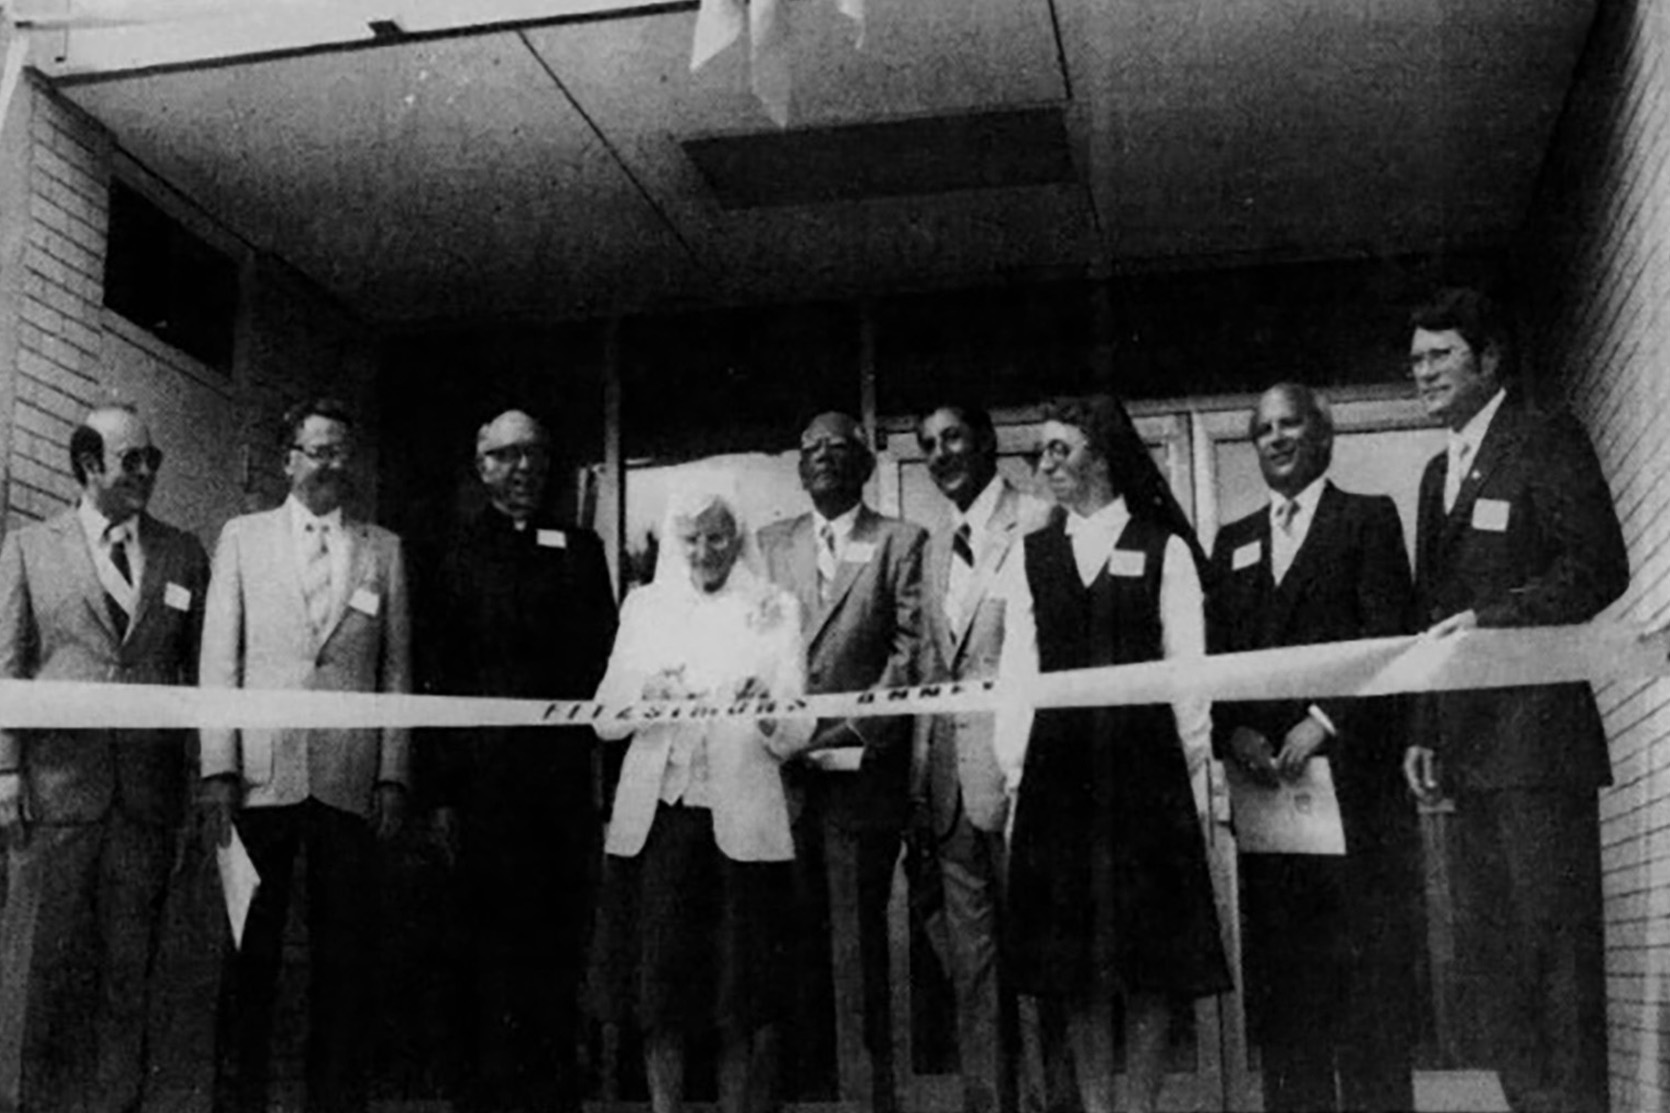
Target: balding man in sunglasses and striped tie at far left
{"type": "Point", "coordinates": [103, 592]}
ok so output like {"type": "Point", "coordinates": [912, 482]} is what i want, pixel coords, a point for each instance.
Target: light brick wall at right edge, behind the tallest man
{"type": "Point", "coordinates": [1599, 240]}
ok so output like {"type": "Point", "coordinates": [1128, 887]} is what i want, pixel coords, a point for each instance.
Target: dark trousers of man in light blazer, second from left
{"type": "Point", "coordinates": [342, 877]}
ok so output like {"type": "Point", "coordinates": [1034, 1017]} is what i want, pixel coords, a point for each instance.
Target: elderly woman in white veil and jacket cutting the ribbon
{"type": "Point", "coordinates": [696, 927]}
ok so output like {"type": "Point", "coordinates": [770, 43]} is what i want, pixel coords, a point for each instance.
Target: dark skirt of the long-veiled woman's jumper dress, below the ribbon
{"type": "Point", "coordinates": [1110, 888]}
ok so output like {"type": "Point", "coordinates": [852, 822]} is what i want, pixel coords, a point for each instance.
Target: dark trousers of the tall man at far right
{"type": "Point", "coordinates": [1529, 907]}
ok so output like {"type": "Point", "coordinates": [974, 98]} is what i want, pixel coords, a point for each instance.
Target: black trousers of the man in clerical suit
{"type": "Point", "coordinates": [530, 902]}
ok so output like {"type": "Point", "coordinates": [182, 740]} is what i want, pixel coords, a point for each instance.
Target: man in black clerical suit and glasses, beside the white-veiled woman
{"type": "Point", "coordinates": [522, 607]}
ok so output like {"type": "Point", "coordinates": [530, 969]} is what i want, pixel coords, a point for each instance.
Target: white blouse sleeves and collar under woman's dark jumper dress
{"type": "Point", "coordinates": [1183, 634]}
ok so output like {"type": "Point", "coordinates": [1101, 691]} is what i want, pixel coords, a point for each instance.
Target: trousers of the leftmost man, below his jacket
{"type": "Point", "coordinates": [124, 865]}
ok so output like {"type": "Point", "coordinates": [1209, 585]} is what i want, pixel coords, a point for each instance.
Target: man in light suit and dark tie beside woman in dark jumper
{"type": "Point", "coordinates": [958, 788]}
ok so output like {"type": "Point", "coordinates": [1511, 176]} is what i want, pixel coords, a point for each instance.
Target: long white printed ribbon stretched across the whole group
{"type": "Point", "coordinates": [1477, 659]}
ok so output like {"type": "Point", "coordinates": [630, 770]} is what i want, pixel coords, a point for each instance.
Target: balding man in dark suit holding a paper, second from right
{"type": "Point", "coordinates": [1328, 968]}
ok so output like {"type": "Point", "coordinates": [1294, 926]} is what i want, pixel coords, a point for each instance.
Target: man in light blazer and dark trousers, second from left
{"type": "Point", "coordinates": [305, 597]}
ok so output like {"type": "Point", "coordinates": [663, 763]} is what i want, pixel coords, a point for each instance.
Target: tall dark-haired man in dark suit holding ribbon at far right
{"type": "Point", "coordinates": [1517, 529]}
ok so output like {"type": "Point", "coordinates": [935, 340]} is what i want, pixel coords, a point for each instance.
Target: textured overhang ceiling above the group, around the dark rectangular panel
{"type": "Point", "coordinates": [544, 175]}
